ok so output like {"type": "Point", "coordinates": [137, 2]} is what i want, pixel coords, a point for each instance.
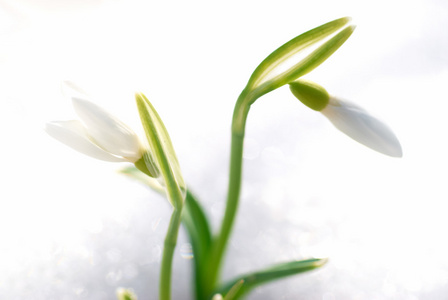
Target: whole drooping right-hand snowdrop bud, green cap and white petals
{"type": "Point", "coordinates": [348, 118]}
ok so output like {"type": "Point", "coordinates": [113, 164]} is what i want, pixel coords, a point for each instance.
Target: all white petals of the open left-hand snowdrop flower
{"type": "Point", "coordinates": [97, 134]}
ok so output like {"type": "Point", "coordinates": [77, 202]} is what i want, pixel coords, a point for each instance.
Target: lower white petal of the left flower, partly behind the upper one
{"type": "Point", "coordinates": [74, 135]}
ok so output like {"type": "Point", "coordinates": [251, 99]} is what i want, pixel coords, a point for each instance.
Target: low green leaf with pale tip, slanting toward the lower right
{"type": "Point", "coordinates": [276, 272]}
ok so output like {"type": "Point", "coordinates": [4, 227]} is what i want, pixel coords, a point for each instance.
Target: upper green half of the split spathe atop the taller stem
{"type": "Point", "coordinates": [286, 51]}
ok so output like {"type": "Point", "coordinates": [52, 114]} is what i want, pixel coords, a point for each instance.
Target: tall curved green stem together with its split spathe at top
{"type": "Point", "coordinates": [264, 80]}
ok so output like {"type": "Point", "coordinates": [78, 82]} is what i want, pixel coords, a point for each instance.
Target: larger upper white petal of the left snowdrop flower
{"type": "Point", "coordinates": [107, 131]}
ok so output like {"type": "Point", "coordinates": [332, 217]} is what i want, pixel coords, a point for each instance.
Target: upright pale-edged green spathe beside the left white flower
{"type": "Point", "coordinates": [162, 150]}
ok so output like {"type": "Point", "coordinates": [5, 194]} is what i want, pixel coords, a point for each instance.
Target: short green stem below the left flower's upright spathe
{"type": "Point", "coordinates": [168, 253]}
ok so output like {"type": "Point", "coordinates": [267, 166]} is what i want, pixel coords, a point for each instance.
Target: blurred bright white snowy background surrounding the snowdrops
{"type": "Point", "coordinates": [72, 228]}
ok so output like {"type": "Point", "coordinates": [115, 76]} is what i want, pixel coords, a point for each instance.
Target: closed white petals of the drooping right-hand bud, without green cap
{"type": "Point", "coordinates": [362, 127]}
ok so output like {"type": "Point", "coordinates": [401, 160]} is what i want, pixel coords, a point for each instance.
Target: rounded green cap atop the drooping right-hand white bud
{"type": "Point", "coordinates": [311, 94]}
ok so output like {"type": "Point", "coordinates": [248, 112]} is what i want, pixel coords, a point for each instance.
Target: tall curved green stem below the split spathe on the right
{"type": "Point", "coordinates": [236, 161]}
